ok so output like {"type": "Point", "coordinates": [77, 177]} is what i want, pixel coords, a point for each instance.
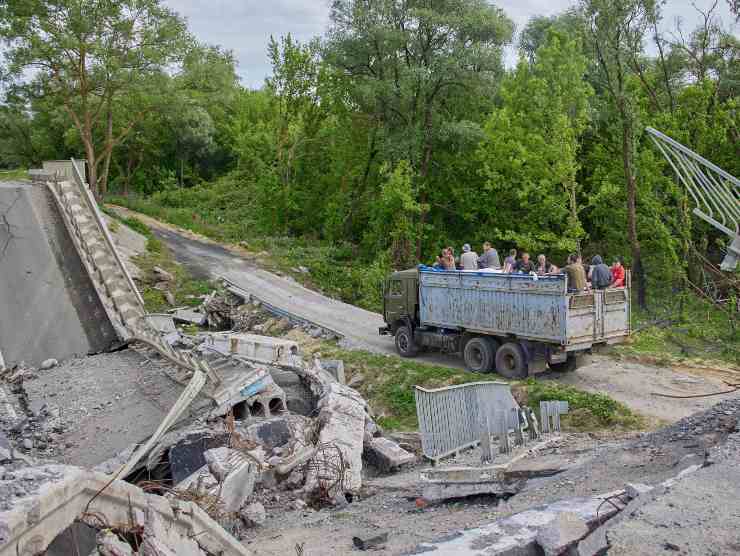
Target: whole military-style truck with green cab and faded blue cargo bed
{"type": "Point", "coordinates": [515, 324]}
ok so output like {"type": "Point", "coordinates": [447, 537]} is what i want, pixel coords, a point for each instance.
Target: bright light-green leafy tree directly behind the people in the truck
{"type": "Point", "coordinates": [530, 155]}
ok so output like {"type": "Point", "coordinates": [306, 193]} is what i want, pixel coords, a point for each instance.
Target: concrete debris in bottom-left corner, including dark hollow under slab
{"type": "Point", "coordinates": [55, 509]}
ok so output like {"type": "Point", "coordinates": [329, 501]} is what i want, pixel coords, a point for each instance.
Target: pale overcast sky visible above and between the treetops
{"type": "Point", "coordinates": [245, 26]}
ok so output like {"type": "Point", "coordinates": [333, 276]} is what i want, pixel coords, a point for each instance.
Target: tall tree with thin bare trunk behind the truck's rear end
{"type": "Point", "coordinates": [616, 30]}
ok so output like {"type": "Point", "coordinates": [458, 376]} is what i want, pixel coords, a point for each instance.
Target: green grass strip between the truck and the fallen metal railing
{"type": "Point", "coordinates": [389, 382]}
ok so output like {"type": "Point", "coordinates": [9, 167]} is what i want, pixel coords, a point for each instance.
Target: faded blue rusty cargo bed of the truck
{"type": "Point", "coordinates": [522, 306]}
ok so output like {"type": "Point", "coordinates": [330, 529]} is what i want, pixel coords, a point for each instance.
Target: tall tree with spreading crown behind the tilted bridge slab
{"type": "Point", "coordinates": [87, 54]}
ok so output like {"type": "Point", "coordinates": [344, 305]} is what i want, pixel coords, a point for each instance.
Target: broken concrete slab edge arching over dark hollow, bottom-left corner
{"type": "Point", "coordinates": [59, 495]}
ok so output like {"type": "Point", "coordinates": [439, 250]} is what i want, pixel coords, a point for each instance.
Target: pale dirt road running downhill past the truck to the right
{"type": "Point", "coordinates": [631, 383]}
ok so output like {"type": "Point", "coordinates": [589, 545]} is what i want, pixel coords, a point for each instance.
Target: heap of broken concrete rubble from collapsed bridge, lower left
{"type": "Point", "coordinates": [236, 447]}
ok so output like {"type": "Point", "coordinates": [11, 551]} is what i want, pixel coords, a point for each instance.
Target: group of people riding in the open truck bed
{"type": "Point", "coordinates": [596, 275]}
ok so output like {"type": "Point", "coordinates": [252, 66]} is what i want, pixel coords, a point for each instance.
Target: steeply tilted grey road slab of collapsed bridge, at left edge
{"type": "Point", "coordinates": [48, 305]}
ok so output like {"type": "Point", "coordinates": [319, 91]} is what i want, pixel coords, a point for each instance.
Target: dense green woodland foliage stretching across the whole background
{"type": "Point", "coordinates": [396, 133]}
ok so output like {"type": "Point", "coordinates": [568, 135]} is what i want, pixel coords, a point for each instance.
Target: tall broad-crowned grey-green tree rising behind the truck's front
{"type": "Point", "coordinates": [406, 61]}
